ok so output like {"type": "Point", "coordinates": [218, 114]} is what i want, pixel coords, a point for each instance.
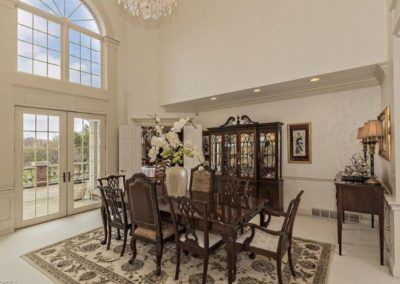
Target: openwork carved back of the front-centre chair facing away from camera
{"type": "Point", "coordinates": [191, 215]}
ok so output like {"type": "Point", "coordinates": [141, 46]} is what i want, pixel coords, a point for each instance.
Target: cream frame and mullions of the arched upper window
{"type": "Point", "coordinates": [65, 25]}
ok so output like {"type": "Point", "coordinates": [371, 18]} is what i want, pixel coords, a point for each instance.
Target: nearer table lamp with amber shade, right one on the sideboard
{"type": "Point", "coordinates": [372, 131]}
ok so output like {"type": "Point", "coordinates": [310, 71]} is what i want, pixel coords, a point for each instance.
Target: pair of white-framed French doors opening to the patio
{"type": "Point", "coordinates": [59, 156]}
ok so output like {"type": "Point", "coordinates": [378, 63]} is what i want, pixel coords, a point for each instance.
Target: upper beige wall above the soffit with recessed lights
{"type": "Point", "coordinates": [211, 47]}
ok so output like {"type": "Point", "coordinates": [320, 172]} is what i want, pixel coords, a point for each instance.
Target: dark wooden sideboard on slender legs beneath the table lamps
{"type": "Point", "coordinates": [360, 198]}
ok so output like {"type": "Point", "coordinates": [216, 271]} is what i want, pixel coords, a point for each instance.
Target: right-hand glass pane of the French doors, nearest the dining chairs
{"type": "Point", "coordinates": [86, 156]}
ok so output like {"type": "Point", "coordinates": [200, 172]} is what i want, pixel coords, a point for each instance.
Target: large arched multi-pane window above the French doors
{"type": "Point", "coordinates": [59, 39]}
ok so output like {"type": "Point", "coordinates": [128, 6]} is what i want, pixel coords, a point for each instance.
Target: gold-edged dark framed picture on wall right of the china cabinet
{"type": "Point", "coordinates": [299, 143]}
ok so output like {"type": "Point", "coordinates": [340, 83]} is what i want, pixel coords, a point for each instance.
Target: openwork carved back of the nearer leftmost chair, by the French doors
{"type": "Point", "coordinates": [114, 205]}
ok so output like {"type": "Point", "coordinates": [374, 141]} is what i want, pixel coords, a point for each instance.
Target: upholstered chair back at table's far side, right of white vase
{"type": "Point", "coordinates": [202, 179]}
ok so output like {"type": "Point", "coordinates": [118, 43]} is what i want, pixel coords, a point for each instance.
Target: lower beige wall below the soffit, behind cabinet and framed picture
{"type": "Point", "coordinates": [334, 117]}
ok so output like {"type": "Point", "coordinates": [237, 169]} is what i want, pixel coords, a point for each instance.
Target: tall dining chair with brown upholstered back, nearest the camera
{"type": "Point", "coordinates": [145, 215]}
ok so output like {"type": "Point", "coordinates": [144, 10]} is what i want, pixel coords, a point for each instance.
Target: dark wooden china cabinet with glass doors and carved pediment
{"type": "Point", "coordinates": [252, 151]}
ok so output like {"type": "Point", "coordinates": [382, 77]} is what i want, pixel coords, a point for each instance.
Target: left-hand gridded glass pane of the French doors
{"type": "Point", "coordinates": [41, 177]}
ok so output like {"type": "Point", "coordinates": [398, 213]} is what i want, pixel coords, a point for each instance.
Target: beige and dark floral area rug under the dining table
{"type": "Point", "coordinates": [82, 259]}
